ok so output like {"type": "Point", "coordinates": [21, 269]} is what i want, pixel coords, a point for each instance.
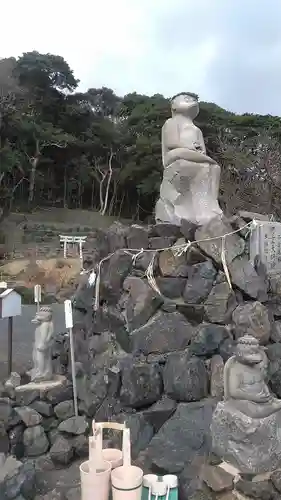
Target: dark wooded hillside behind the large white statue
{"type": "Point", "coordinates": [96, 150]}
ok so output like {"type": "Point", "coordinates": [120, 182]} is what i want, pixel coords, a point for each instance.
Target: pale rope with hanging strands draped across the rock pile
{"type": "Point", "coordinates": [177, 250]}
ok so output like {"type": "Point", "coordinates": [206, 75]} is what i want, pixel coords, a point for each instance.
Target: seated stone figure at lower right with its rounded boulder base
{"type": "Point", "coordinates": [246, 426]}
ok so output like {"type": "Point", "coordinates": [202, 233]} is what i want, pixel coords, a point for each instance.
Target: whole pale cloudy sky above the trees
{"type": "Point", "coordinates": [227, 51]}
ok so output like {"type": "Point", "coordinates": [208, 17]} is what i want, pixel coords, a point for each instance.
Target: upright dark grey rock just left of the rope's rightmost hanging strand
{"type": "Point", "coordinates": [200, 282]}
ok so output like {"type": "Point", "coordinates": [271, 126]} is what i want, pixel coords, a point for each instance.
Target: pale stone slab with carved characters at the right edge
{"type": "Point", "coordinates": [265, 241]}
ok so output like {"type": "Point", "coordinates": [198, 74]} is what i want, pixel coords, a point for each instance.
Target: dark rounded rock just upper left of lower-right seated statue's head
{"type": "Point", "coordinates": [208, 339]}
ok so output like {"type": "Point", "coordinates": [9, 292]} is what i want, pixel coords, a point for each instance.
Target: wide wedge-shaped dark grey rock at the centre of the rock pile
{"type": "Point", "coordinates": [165, 332]}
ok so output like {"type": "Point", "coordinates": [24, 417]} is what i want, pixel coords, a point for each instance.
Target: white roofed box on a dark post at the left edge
{"type": "Point", "coordinates": [10, 306]}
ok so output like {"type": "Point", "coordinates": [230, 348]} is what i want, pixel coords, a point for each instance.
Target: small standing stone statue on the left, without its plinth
{"type": "Point", "coordinates": [42, 347]}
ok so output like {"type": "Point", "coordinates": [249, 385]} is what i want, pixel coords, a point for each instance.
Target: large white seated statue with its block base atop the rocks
{"type": "Point", "coordinates": [190, 184]}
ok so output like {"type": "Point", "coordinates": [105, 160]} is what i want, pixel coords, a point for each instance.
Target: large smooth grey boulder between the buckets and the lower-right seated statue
{"type": "Point", "coordinates": [185, 435]}
